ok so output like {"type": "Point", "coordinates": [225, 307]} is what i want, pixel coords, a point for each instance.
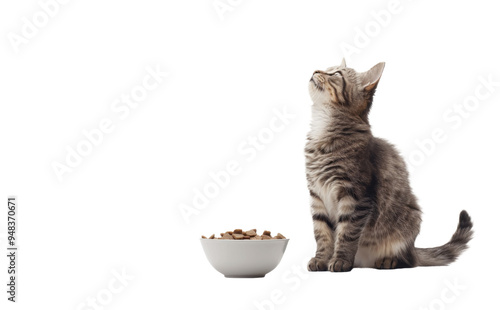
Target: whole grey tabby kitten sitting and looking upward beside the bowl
{"type": "Point", "coordinates": [363, 209]}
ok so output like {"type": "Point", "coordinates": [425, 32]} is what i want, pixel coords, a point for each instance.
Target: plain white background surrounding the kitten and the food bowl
{"type": "Point", "coordinates": [119, 208]}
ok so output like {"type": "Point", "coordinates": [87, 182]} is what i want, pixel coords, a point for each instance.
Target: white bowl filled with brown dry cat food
{"type": "Point", "coordinates": [244, 254]}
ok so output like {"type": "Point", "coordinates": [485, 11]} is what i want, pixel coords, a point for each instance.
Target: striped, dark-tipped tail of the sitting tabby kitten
{"type": "Point", "coordinates": [448, 253]}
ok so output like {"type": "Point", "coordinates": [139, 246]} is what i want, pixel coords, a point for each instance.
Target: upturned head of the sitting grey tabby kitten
{"type": "Point", "coordinates": [343, 89]}
